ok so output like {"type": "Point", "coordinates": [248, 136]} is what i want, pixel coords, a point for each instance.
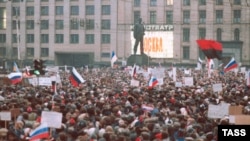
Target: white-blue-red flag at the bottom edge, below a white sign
{"type": "Point", "coordinates": [42, 131]}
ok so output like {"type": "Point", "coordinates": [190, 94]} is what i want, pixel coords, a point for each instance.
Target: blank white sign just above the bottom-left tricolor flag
{"type": "Point", "coordinates": [52, 119]}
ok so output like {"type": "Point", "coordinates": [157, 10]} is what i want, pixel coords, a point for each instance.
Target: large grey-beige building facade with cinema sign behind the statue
{"type": "Point", "coordinates": [85, 32]}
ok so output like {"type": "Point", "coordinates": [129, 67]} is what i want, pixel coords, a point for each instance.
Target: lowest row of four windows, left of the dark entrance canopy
{"type": "Point", "coordinates": [44, 52]}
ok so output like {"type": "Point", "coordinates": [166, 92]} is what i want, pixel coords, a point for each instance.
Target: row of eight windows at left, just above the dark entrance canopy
{"type": "Point", "coordinates": [59, 38]}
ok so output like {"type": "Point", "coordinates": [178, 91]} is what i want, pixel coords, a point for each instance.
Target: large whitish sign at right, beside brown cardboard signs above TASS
{"type": "Point", "coordinates": [218, 111]}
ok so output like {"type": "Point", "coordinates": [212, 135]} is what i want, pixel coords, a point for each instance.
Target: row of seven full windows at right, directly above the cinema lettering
{"type": "Point", "coordinates": [187, 16]}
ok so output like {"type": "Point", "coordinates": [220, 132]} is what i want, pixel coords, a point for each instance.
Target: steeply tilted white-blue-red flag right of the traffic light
{"type": "Point", "coordinates": [75, 78]}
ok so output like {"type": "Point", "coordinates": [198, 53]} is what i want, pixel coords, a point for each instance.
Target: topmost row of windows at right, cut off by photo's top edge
{"type": "Point", "coordinates": [152, 3]}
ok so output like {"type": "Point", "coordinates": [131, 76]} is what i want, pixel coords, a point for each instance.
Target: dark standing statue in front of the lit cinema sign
{"type": "Point", "coordinates": [138, 35]}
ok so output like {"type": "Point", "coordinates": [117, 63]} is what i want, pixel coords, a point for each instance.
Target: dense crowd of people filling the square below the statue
{"type": "Point", "coordinates": [107, 108]}
